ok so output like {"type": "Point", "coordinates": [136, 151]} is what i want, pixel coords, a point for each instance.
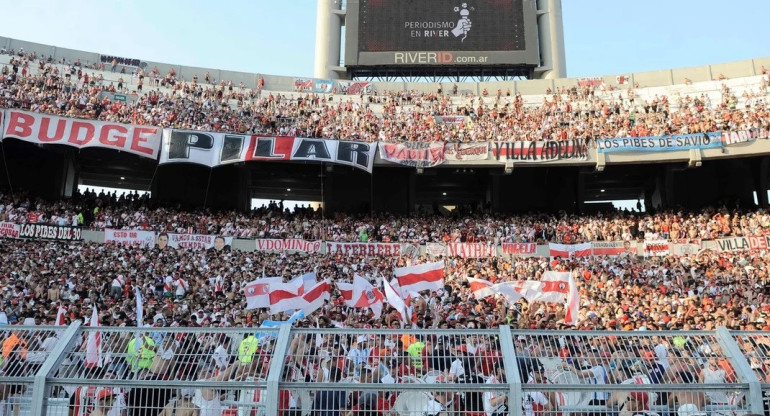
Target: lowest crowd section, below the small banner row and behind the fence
{"type": "Point", "coordinates": [204, 288]}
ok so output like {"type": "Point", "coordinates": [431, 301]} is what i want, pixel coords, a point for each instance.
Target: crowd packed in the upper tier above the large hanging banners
{"type": "Point", "coordinates": [580, 112]}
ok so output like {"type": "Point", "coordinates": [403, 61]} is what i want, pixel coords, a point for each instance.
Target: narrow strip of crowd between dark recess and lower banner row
{"type": "Point", "coordinates": [133, 212]}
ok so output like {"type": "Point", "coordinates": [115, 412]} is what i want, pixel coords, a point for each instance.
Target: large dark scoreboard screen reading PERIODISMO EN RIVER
{"type": "Point", "coordinates": [441, 32]}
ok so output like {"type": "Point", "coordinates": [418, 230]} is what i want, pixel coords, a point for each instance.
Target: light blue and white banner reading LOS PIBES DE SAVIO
{"type": "Point", "coordinates": [660, 143]}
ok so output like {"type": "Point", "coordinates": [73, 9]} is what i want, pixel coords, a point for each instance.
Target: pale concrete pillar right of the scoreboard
{"type": "Point", "coordinates": [551, 33]}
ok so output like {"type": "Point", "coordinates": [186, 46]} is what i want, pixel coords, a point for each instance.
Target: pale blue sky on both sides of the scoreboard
{"type": "Point", "coordinates": [278, 37]}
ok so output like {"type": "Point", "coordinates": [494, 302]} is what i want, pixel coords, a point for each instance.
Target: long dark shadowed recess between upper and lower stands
{"type": "Point", "coordinates": [55, 171]}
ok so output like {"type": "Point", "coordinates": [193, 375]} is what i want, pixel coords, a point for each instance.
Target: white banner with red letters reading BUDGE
{"type": "Point", "coordinates": [47, 129]}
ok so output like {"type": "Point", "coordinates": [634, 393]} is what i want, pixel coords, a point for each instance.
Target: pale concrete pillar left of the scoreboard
{"type": "Point", "coordinates": [328, 35]}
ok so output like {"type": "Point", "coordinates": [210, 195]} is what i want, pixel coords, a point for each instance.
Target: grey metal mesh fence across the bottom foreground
{"type": "Point", "coordinates": [108, 371]}
